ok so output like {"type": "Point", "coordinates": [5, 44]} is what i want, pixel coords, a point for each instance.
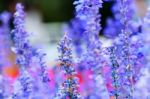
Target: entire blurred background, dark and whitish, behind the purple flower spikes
{"type": "Point", "coordinates": [46, 19]}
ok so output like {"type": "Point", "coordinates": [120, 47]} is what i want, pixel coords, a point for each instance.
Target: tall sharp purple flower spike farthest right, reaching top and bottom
{"type": "Point", "coordinates": [130, 62]}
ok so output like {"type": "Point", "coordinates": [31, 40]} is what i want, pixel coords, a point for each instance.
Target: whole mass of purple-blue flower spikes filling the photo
{"type": "Point", "coordinates": [118, 71]}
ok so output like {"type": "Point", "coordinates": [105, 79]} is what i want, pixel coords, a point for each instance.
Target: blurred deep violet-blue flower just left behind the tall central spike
{"type": "Point", "coordinates": [76, 33]}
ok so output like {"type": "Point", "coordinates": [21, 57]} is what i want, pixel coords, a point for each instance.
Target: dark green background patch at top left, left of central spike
{"type": "Point", "coordinates": [51, 10]}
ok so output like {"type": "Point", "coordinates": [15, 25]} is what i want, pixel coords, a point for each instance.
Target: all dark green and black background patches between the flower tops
{"type": "Point", "coordinates": [54, 10]}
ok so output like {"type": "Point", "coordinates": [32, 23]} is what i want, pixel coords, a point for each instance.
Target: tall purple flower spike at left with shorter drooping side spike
{"type": "Point", "coordinates": [25, 55]}
